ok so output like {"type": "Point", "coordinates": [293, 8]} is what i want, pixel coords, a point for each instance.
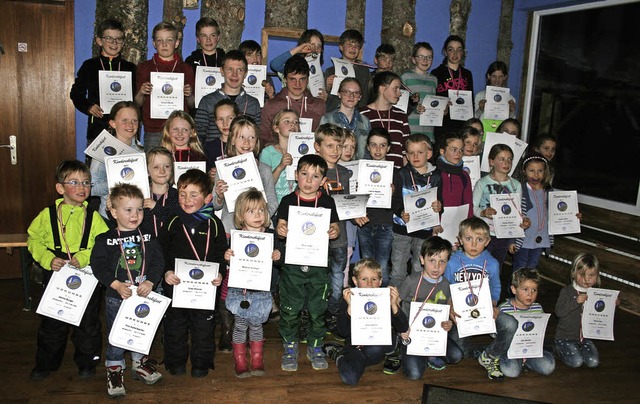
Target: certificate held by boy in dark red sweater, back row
{"type": "Point", "coordinates": [167, 94]}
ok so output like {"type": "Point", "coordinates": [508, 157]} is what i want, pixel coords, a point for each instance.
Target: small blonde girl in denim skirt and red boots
{"type": "Point", "coordinates": [251, 308]}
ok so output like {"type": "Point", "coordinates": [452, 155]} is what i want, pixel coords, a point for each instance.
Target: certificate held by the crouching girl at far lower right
{"type": "Point", "coordinates": [598, 313]}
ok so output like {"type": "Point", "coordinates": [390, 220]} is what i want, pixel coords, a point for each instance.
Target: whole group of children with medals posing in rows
{"type": "Point", "coordinates": [134, 241]}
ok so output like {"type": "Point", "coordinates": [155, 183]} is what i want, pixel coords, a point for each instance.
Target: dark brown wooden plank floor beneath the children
{"type": "Point", "coordinates": [614, 381]}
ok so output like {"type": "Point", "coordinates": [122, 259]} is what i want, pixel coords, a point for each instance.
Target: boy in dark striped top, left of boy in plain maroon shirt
{"type": "Point", "coordinates": [234, 70]}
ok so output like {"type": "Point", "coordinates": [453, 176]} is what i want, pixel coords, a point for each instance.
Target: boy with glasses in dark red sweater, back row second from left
{"type": "Point", "coordinates": [165, 40]}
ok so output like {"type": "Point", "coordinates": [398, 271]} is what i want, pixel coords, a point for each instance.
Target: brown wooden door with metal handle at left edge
{"type": "Point", "coordinates": [36, 74]}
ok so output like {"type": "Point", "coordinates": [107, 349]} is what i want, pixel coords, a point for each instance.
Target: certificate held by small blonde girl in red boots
{"type": "Point", "coordinates": [251, 264]}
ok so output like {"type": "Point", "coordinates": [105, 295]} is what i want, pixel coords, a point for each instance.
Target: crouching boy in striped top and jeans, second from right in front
{"type": "Point", "coordinates": [524, 286]}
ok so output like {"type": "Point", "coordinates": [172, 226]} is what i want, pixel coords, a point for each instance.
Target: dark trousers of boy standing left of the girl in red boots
{"type": "Point", "coordinates": [178, 324]}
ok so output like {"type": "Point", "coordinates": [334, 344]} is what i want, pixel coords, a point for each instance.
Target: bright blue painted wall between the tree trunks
{"type": "Point", "coordinates": [432, 20]}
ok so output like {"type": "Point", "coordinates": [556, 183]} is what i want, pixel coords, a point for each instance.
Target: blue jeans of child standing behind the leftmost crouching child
{"type": "Point", "coordinates": [375, 242]}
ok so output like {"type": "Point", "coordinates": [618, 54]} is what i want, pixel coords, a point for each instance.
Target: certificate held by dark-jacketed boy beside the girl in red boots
{"type": "Point", "coordinates": [195, 290]}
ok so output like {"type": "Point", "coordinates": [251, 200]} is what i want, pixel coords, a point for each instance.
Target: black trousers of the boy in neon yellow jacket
{"type": "Point", "coordinates": [86, 338]}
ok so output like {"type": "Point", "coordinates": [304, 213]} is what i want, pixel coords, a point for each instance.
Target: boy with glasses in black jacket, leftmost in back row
{"type": "Point", "coordinates": [85, 92]}
